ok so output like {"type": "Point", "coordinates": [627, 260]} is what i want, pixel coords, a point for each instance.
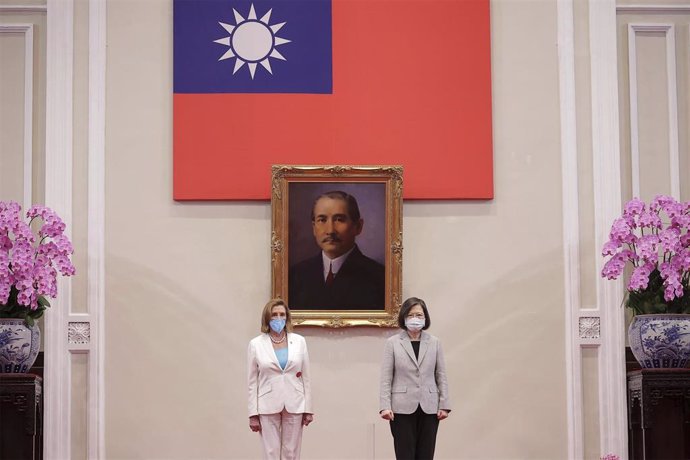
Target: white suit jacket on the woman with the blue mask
{"type": "Point", "coordinates": [271, 388]}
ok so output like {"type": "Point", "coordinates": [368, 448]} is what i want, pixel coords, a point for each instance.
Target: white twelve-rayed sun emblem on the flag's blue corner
{"type": "Point", "coordinates": [252, 41]}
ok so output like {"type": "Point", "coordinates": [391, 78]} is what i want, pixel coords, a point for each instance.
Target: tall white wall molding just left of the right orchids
{"type": "Point", "coordinates": [601, 327]}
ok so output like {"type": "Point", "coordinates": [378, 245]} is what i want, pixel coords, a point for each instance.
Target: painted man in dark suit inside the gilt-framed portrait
{"type": "Point", "coordinates": [340, 275]}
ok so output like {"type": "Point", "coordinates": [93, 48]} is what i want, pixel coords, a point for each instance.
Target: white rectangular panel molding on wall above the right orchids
{"type": "Point", "coordinates": [672, 98]}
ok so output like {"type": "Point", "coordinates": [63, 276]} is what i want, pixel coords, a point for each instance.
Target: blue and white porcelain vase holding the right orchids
{"type": "Point", "coordinates": [660, 341]}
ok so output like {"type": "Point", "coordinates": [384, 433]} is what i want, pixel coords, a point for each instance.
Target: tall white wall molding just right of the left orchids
{"type": "Point", "coordinates": [70, 333]}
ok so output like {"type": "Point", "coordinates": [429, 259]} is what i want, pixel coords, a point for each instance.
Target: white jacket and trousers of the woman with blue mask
{"type": "Point", "coordinates": [278, 396]}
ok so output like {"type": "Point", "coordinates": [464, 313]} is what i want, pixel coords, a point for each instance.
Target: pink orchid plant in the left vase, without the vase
{"type": "Point", "coordinates": [29, 263]}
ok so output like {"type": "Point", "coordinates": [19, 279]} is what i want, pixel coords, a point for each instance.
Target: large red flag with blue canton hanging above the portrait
{"type": "Point", "coordinates": [331, 82]}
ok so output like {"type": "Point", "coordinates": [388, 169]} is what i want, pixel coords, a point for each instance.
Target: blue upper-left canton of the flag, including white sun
{"type": "Point", "coordinates": [257, 46]}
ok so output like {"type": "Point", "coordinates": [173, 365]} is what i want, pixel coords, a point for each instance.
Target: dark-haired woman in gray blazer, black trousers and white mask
{"type": "Point", "coordinates": [414, 388]}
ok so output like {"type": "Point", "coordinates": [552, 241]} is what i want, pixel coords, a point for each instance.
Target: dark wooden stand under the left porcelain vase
{"type": "Point", "coordinates": [21, 412]}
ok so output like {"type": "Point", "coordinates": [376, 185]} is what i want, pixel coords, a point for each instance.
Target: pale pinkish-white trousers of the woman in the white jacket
{"type": "Point", "coordinates": [281, 435]}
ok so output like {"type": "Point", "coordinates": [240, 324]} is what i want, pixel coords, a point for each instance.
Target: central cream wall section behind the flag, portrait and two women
{"type": "Point", "coordinates": [186, 281]}
